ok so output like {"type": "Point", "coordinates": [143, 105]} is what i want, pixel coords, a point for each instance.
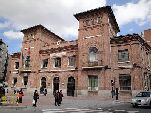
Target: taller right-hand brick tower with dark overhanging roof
{"type": "Point", "coordinates": [96, 27]}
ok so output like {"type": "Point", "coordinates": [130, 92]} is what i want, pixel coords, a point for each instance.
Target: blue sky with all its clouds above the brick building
{"type": "Point", "coordinates": [133, 16]}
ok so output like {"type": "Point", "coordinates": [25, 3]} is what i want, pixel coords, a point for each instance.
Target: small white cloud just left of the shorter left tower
{"type": "Point", "coordinates": [13, 35]}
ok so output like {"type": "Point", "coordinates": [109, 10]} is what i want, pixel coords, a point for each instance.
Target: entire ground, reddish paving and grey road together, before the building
{"type": "Point", "coordinates": [74, 105]}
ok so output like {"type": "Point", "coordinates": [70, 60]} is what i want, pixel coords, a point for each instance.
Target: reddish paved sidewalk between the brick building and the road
{"type": "Point", "coordinates": [47, 102]}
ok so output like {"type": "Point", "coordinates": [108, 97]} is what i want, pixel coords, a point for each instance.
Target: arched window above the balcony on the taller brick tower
{"type": "Point", "coordinates": [93, 54]}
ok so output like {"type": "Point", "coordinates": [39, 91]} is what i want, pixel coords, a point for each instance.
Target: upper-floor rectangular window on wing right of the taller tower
{"type": "Point", "coordinates": [123, 55]}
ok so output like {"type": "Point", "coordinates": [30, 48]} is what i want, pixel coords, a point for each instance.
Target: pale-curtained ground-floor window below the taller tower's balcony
{"type": "Point", "coordinates": [93, 83]}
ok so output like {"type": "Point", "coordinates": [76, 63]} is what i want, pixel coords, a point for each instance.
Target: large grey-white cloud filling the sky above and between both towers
{"type": "Point", "coordinates": [56, 15]}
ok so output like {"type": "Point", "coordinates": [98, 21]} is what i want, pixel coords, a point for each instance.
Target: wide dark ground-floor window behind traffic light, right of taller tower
{"type": "Point", "coordinates": [125, 82]}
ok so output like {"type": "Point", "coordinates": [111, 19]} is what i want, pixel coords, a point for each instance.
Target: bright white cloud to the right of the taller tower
{"type": "Point", "coordinates": [139, 12]}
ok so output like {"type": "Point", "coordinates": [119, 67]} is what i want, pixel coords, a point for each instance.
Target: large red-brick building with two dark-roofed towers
{"type": "Point", "coordinates": [96, 63]}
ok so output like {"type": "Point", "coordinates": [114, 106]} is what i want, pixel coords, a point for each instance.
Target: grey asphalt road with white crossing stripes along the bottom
{"type": "Point", "coordinates": [120, 108]}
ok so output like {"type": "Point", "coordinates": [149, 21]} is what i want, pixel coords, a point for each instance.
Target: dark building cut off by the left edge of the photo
{"type": "Point", "coordinates": [3, 61]}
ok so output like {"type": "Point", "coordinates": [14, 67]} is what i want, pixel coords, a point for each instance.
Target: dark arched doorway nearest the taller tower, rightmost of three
{"type": "Point", "coordinates": [70, 86]}
